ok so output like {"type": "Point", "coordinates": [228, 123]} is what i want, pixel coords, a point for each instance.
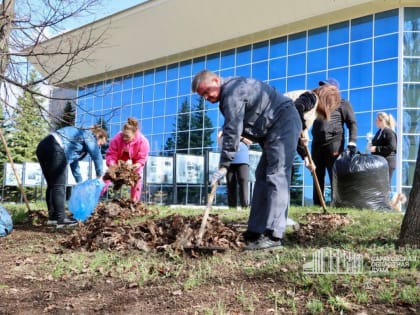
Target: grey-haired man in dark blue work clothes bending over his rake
{"type": "Point", "coordinates": [256, 111]}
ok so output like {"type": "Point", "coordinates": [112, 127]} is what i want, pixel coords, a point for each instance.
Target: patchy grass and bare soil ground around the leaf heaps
{"type": "Point", "coordinates": [362, 272]}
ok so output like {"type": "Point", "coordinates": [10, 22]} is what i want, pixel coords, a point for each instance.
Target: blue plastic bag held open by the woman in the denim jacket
{"type": "Point", "coordinates": [84, 198]}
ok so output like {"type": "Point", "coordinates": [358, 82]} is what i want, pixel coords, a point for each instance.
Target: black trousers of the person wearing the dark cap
{"type": "Point", "coordinates": [324, 157]}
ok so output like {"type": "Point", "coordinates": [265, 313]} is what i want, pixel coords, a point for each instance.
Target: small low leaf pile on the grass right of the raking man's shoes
{"type": "Point", "coordinates": [320, 224]}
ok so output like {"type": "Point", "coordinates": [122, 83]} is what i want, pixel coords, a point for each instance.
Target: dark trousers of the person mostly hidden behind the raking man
{"type": "Point", "coordinates": [237, 175]}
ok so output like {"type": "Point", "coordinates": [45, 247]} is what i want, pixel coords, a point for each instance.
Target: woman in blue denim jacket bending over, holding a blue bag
{"type": "Point", "coordinates": [65, 146]}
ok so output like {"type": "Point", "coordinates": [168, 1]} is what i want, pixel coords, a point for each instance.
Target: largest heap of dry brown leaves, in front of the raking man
{"type": "Point", "coordinates": [106, 229]}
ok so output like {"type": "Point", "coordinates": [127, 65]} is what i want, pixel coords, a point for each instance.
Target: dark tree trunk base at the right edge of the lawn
{"type": "Point", "coordinates": [410, 228]}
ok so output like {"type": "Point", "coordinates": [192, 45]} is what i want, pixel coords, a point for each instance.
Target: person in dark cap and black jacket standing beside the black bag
{"type": "Point", "coordinates": [328, 139]}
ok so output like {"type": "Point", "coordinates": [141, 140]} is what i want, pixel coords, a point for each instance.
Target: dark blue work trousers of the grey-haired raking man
{"type": "Point", "coordinates": [270, 200]}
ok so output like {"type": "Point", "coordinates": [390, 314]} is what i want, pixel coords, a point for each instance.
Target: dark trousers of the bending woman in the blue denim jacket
{"type": "Point", "coordinates": [53, 163]}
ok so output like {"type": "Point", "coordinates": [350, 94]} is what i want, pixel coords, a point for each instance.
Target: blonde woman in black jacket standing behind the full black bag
{"type": "Point", "coordinates": [384, 143]}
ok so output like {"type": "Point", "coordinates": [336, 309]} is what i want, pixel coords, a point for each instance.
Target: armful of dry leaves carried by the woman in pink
{"type": "Point", "coordinates": [122, 174]}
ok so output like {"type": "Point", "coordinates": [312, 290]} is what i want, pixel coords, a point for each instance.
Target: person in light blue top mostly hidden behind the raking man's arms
{"type": "Point", "coordinates": [238, 174]}
